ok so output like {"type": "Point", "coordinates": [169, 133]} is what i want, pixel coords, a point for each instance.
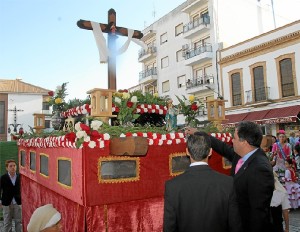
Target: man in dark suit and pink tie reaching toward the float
{"type": "Point", "coordinates": [253, 175]}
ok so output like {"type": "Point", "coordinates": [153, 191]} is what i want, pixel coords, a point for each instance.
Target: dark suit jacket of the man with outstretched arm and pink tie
{"type": "Point", "coordinates": [254, 184]}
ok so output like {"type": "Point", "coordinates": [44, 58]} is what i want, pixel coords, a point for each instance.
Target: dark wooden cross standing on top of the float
{"type": "Point", "coordinates": [112, 30]}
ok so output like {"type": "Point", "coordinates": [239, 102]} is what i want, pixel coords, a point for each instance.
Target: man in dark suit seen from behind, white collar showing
{"type": "Point", "coordinates": [200, 199]}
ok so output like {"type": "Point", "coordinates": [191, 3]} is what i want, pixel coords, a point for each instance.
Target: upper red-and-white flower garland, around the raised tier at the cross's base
{"type": "Point", "coordinates": [140, 109]}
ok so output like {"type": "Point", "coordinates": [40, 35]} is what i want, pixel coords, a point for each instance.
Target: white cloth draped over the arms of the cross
{"type": "Point", "coordinates": [101, 42]}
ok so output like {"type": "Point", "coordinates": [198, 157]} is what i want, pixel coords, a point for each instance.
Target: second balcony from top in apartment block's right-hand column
{"type": "Point", "coordinates": [198, 55]}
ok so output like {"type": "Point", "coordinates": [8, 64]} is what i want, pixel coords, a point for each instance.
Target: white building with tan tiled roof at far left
{"type": "Point", "coordinates": [18, 102]}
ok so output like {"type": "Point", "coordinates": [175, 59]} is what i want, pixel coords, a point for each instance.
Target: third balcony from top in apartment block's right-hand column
{"type": "Point", "coordinates": [199, 84]}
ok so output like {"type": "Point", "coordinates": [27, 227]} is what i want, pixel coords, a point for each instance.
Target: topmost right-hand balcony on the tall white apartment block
{"type": "Point", "coordinates": [193, 28]}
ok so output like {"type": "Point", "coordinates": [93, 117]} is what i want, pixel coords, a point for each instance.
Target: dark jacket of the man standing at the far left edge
{"type": "Point", "coordinates": [8, 190]}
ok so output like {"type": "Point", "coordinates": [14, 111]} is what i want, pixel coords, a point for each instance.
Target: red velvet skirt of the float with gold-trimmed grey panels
{"type": "Point", "coordinates": [96, 196]}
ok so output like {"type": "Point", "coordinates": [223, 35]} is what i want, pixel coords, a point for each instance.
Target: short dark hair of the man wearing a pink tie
{"type": "Point", "coordinates": [251, 132]}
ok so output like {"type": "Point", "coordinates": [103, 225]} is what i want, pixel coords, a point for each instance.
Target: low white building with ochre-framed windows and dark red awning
{"type": "Point", "coordinates": [260, 78]}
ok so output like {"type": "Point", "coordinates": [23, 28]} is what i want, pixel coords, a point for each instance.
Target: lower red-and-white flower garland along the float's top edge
{"type": "Point", "coordinates": [88, 136]}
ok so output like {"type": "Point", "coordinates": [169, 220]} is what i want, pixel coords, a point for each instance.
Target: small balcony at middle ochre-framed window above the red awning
{"type": "Point", "coordinates": [260, 96]}
